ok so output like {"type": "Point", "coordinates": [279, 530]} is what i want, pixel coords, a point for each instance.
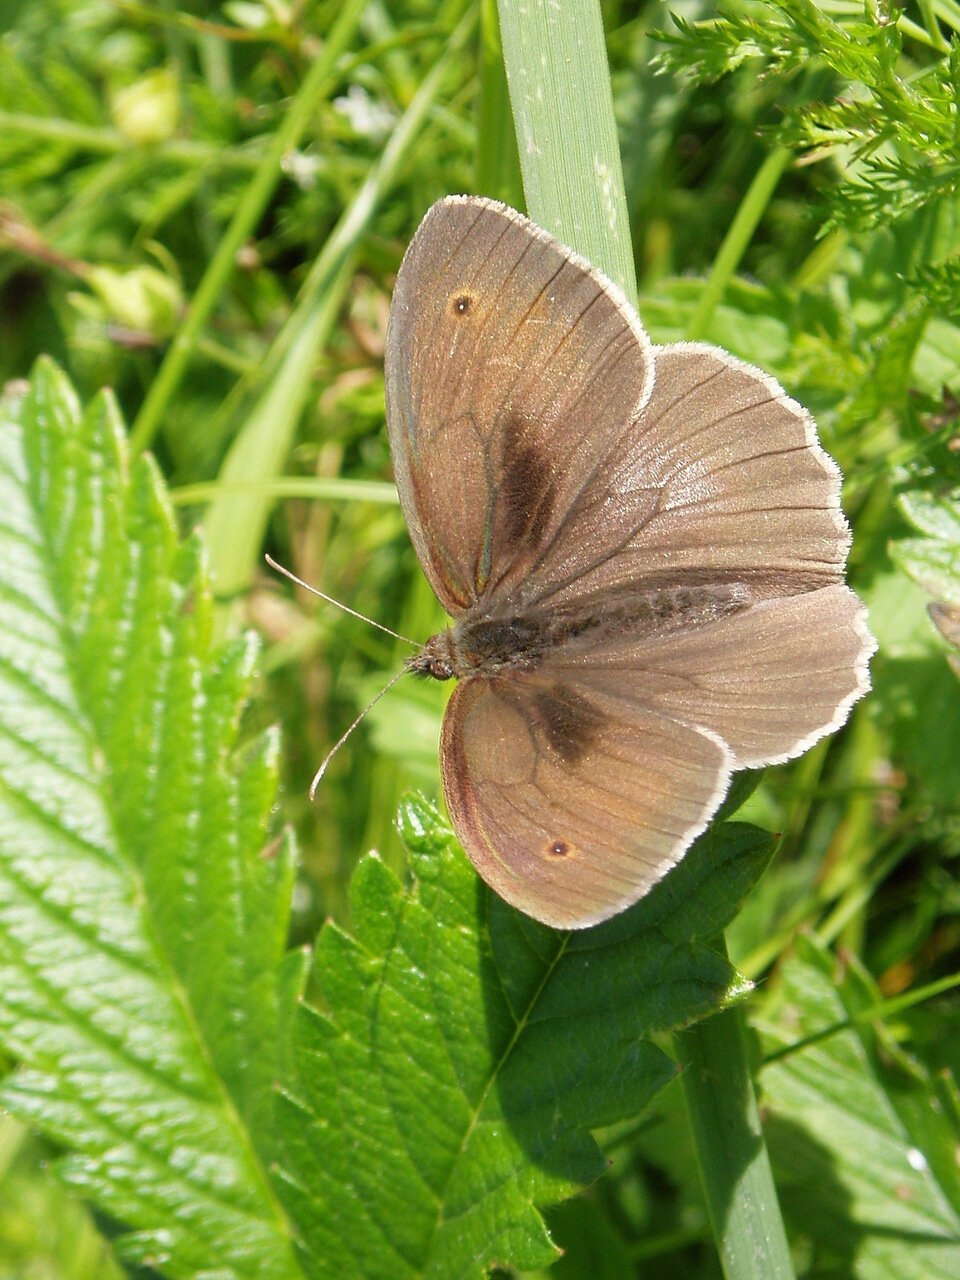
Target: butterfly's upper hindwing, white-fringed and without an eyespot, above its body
{"type": "Point", "coordinates": [721, 481]}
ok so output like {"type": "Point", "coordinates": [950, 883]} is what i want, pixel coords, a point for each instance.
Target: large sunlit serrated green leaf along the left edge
{"type": "Point", "coordinates": [141, 922]}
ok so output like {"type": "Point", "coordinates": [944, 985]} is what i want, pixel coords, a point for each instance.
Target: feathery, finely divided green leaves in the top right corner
{"type": "Point", "coordinates": [899, 129]}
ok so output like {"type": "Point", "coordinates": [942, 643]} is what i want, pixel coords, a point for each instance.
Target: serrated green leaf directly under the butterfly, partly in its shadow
{"type": "Point", "coordinates": [463, 1053]}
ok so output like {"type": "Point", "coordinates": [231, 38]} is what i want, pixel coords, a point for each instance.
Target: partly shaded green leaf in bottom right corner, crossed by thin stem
{"type": "Point", "coordinates": [866, 1199]}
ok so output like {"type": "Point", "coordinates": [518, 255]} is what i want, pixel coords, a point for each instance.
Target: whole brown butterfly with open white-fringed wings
{"type": "Point", "coordinates": [643, 552]}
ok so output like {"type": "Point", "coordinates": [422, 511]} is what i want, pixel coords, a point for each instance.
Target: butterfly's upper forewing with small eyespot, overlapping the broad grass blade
{"type": "Point", "coordinates": [511, 367]}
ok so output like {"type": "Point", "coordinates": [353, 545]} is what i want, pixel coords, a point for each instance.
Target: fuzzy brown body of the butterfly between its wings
{"type": "Point", "coordinates": [519, 641]}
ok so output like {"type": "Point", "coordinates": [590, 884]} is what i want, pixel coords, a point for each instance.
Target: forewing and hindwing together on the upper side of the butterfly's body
{"type": "Point", "coordinates": [537, 458]}
